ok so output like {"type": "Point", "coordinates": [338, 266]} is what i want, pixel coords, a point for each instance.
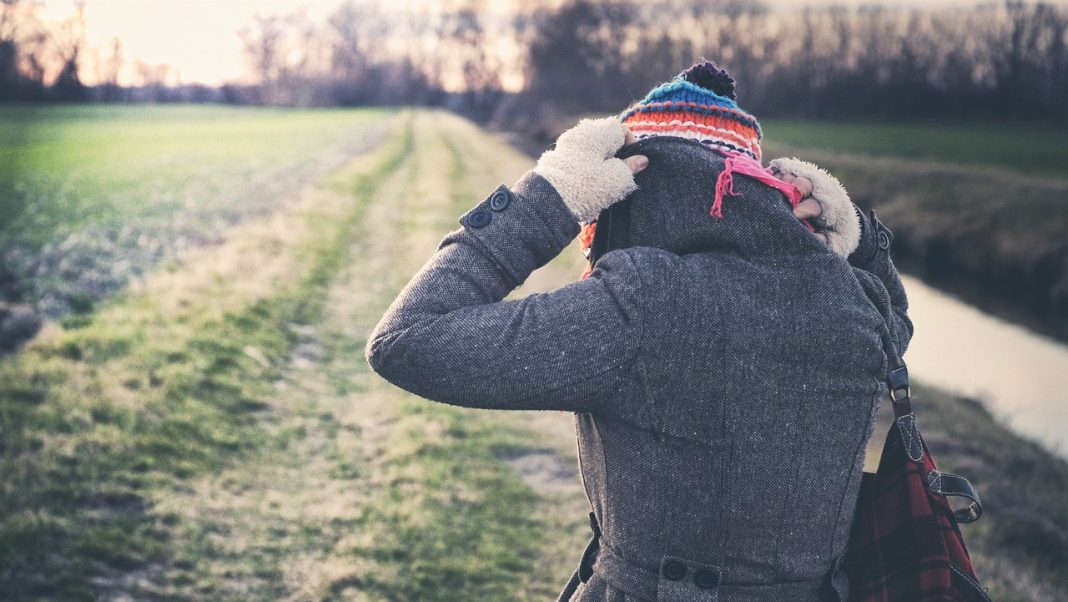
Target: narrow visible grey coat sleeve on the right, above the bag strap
{"type": "Point", "coordinates": [873, 257]}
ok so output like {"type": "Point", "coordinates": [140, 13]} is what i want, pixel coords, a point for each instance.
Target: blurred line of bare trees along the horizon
{"type": "Point", "coordinates": [1007, 61]}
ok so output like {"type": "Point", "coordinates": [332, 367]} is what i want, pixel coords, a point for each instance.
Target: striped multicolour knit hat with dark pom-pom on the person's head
{"type": "Point", "coordinates": [699, 104]}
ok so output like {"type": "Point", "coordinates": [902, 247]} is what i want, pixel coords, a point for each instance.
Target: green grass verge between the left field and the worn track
{"type": "Point", "coordinates": [98, 421]}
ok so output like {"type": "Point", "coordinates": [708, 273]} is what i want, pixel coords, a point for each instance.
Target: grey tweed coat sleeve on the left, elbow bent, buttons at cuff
{"type": "Point", "coordinates": [450, 337]}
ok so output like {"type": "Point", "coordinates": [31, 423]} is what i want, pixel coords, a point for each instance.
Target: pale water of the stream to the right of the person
{"type": "Point", "coordinates": [1022, 377]}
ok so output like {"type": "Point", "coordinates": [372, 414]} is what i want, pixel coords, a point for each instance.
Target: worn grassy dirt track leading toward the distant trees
{"type": "Point", "coordinates": [358, 485]}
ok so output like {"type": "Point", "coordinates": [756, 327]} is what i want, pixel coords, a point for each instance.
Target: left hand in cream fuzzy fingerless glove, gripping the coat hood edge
{"type": "Point", "coordinates": [584, 170]}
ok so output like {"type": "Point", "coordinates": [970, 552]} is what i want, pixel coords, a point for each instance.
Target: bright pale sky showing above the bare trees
{"type": "Point", "coordinates": [199, 38]}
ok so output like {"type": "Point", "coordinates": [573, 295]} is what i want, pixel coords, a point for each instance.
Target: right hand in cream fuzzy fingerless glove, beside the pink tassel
{"type": "Point", "coordinates": [825, 203]}
